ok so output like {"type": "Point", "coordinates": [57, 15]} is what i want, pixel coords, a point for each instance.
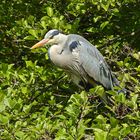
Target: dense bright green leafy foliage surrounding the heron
{"type": "Point", "coordinates": [37, 100]}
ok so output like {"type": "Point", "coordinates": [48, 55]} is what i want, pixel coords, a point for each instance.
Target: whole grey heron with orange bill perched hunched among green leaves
{"type": "Point", "coordinates": [81, 60]}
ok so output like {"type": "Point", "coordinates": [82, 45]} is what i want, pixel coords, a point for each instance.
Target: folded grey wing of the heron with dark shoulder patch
{"type": "Point", "coordinates": [93, 63]}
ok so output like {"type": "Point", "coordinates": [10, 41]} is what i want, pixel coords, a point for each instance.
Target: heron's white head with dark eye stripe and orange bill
{"type": "Point", "coordinates": [52, 37]}
